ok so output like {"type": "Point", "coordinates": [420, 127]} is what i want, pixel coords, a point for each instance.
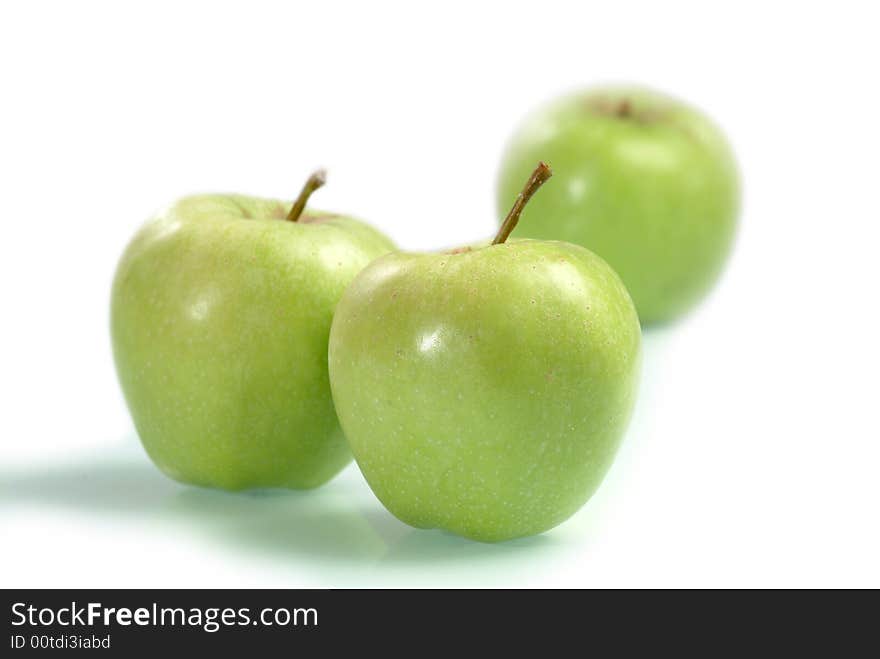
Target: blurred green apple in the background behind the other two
{"type": "Point", "coordinates": [641, 179]}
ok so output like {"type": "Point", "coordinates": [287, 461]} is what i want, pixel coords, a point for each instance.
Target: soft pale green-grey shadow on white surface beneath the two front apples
{"type": "Point", "coordinates": [340, 523]}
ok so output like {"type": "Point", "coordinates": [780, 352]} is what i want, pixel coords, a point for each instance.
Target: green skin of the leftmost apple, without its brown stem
{"type": "Point", "coordinates": [220, 318]}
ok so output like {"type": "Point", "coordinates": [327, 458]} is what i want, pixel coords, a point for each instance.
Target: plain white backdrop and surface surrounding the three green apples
{"type": "Point", "coordinates": [754, 456]}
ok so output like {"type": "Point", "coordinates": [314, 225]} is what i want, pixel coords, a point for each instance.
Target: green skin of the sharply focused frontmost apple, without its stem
{"type": "Point", "coordinates": [485, 392]}
